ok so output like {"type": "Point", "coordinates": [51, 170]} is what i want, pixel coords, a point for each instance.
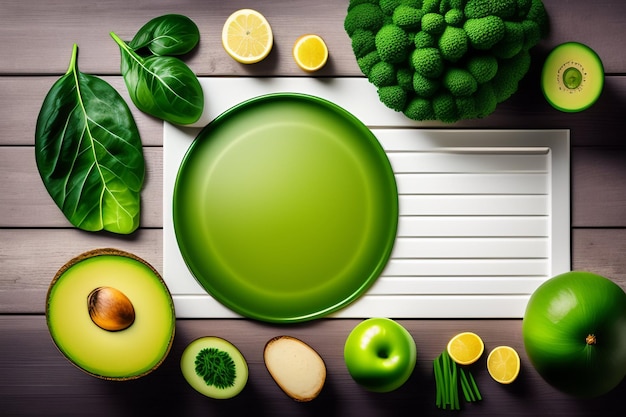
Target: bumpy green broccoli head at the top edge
{"type": "Point", "coordinates": [445, 60]}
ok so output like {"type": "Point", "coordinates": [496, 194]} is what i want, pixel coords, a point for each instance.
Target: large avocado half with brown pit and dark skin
{"type": "Point", "coordinates": [111, 314]}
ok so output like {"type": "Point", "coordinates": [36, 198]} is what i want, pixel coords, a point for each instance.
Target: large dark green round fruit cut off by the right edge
{"type": "Point", "coordinates": [574, 333]}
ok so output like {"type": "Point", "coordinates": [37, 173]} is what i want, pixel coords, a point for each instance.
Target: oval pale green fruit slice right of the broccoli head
{"type": "Point", "coordinates": [572, 77]}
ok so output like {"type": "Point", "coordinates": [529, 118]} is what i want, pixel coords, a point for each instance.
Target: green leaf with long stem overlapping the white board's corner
{"type": "Point", "coordinates": [162, 86]}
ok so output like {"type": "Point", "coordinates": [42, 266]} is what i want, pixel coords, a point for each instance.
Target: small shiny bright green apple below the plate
{"type": "Point", "coordinates": [380, 354]}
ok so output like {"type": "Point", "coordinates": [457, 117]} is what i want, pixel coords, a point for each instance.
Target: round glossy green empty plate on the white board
{"type": "Point", "coordinates": [285, 208]}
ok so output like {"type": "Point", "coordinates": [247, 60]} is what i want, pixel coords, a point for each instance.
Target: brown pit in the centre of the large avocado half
{"type": "Point", "coordinates": [110, 309]}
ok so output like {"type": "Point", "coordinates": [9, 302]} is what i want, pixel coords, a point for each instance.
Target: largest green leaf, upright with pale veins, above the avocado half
{"type": "Point", "coordinates": [88, 152]}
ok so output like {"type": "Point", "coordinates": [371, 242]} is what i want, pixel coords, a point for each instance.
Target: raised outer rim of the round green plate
{"type": "Point", "coordinates": [394, 205]}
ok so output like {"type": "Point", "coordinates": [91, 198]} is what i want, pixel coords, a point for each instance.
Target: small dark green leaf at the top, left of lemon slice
{"type": "Point", "coordinates": [170, 34]}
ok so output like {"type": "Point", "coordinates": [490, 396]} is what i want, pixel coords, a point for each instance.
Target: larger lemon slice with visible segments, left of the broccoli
{"type": "Point", "coordinates": [247, 36]}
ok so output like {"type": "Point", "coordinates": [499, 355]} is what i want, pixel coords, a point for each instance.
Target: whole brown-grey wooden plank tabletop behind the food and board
{"type": "Point", "coordinates": [36, 38]}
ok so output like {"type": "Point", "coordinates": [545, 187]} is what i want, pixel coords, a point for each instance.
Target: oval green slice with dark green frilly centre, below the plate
{"type": "Point", "coordinates": [214, 367]}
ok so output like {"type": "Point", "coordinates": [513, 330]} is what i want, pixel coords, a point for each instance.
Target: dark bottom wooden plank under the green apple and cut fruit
{"type": "Point", "coordinates": [37, 379]}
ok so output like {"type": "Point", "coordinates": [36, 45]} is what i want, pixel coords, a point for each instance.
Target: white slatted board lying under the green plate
{"type": "Point", "coordinates": [484, 214]}
